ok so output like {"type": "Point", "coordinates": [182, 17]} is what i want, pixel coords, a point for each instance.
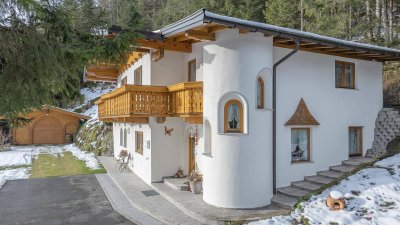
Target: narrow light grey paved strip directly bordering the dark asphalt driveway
{"type": "Point", "coordinates": [121, 204]}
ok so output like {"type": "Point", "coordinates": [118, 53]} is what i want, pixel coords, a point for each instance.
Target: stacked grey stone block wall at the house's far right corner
{"type": "Point", "coordinates": [387, 127]}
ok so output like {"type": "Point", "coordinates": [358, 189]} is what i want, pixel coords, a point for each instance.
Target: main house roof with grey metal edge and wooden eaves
{"type": "Point", "coordinates": [283, 37]}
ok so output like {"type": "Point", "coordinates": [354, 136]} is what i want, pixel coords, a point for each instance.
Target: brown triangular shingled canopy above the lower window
{"type": "Point", "coordinates": [302, 116]}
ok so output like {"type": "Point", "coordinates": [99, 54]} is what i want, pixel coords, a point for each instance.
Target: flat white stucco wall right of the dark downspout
{"type": "Point", "coordinates": [312, 77]}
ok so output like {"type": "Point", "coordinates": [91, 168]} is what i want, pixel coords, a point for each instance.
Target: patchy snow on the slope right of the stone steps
{"type": "Point", "coordinates": [372, 197]}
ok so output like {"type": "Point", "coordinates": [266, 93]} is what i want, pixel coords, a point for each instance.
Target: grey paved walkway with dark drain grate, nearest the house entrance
{"type": "Point", "coordinates": [144, 198]}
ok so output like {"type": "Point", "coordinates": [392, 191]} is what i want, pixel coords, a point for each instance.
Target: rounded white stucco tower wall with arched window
{"type": "Point", "coordinates": [238, 174]}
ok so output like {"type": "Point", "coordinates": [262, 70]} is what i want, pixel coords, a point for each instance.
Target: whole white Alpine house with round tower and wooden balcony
{"type": "Point", "coordinates": [252, 106]}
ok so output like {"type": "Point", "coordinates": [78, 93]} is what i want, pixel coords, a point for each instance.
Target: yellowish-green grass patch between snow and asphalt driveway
{"type": "Point", "coordinates": [61, 165]}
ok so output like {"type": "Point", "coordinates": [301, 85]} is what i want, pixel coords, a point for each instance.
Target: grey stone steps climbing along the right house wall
{"type": "Point", "coordinates": [287, 197]}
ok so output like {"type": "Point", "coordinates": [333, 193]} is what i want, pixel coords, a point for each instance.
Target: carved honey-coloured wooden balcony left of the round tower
{"type": "Point", "coordinates": [136, 103]}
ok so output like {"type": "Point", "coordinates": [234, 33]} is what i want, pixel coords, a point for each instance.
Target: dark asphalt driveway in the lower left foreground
{"type": "Point", "coordinates": [56, 201]}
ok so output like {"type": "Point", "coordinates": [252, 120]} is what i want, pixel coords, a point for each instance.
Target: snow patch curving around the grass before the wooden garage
{"type": "Point", "coordinates": [18, 156]}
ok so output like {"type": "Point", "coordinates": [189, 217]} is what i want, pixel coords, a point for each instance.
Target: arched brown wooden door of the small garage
{"type": "Point", "coordinates": [48, 130]}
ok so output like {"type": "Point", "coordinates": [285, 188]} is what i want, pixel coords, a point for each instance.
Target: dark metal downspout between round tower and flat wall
{"type": "Point", "coordinates": [297, 41]}
